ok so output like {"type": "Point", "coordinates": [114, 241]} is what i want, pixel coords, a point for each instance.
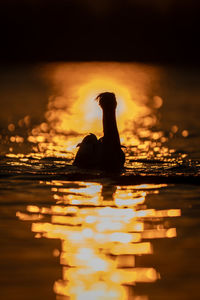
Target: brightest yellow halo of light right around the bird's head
{"type": "Point", "coordinates": [92, 114]}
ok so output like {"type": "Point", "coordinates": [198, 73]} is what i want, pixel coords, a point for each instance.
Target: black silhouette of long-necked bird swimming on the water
{"type": "Point", "coordinates": [104, 153]}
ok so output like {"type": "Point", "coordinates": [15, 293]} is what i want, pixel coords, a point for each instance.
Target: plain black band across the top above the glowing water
{"type": "Point", "coordinates": [132, 30]}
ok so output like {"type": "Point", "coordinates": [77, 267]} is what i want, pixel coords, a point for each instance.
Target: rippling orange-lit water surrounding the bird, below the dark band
{"type": "Point", "coordinates": [68, 233]}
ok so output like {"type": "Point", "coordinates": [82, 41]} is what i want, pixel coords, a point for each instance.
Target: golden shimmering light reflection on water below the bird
{"type": "Point", "coordinates": [102, 229]}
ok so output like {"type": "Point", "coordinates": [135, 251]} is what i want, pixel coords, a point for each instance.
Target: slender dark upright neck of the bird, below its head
{"type": "Point", "coordinates": [111, 134]}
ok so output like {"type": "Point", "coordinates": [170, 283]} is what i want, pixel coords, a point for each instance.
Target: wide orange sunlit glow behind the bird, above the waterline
{"type": "Point", "coordinates": [74, 112]}
